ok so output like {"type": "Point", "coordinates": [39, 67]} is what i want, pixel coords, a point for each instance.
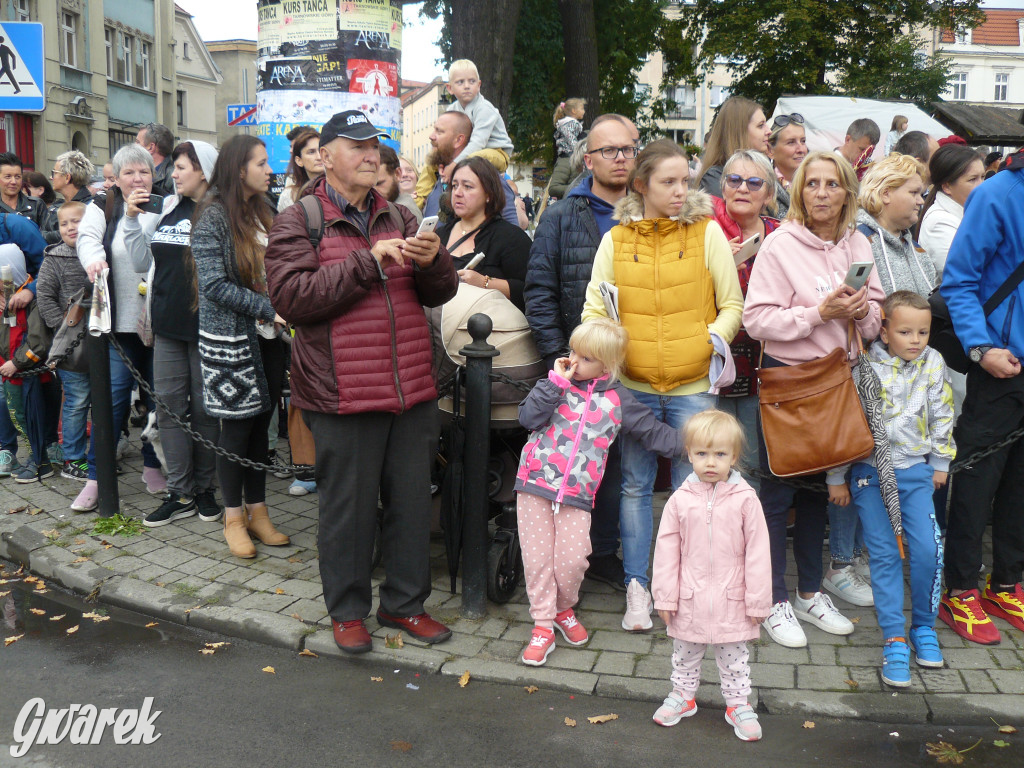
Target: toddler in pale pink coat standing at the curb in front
{"type": "Point", "coordinates": [712, 575]}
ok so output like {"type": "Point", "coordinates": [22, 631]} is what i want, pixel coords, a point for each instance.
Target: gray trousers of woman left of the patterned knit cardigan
{"type": "Point", "coordinates": [179, 380]}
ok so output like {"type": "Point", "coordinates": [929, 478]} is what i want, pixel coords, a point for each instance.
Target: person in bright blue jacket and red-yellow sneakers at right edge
{"type": "Point", "coordinates": [989, 247]}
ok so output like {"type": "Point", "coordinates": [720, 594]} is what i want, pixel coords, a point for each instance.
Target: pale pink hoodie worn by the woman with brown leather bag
{"type": "Point", "coordinates": [793, 275]}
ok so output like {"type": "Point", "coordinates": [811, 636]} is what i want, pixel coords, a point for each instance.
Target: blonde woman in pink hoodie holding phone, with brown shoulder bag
{"type": "Point", "coordinates": [798, 305]}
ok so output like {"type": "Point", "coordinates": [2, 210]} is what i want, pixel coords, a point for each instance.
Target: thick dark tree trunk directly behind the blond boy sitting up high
{"type": "Point", "coordinates": [484, 31]}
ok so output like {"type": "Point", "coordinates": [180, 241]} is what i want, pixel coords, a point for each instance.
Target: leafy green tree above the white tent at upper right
{"type": "Point", "coordinates": [868, 49]}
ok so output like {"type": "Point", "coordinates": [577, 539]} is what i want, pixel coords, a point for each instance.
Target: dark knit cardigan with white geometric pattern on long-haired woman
{"type": "Point", "coordinates": [234, 383]}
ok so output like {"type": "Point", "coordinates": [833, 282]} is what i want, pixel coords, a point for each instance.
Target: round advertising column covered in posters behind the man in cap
{"type": "Point", "coordinates": [319, 58]}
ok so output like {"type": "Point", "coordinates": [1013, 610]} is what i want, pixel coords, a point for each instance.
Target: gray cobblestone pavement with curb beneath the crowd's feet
{"type": "Point", "coordinates": [184, 573]}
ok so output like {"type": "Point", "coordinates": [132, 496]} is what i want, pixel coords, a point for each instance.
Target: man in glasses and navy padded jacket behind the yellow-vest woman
{"type": "Point", "coordinates": [561, 264]}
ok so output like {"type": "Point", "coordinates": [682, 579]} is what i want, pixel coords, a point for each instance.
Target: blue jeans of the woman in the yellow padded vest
{"type": "Point", "coordinates": [636, 521]}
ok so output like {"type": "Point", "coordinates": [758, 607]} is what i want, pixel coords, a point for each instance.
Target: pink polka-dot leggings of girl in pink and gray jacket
{"type": "Point", "coordinates": [556, 547]}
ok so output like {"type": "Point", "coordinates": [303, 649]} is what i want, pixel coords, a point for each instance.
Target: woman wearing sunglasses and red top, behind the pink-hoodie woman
{"type": "Point", "coordinates": [749, 188]}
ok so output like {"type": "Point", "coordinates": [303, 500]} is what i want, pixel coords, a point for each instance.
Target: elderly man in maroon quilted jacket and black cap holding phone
{"type": "Point", "coordinates": [362, 375]}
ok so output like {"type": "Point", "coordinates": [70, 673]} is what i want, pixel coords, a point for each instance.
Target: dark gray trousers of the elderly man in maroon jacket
{"type": "Point", "coordinates": [359, 456]}
